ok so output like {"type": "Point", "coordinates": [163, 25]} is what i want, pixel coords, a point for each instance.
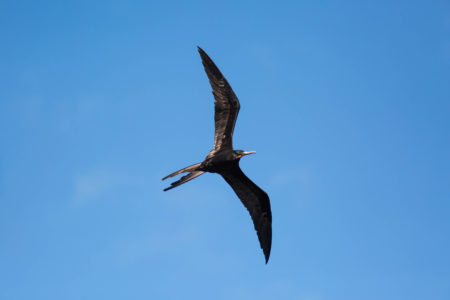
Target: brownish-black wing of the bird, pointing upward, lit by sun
{"type": "Point", "coordinates": [226, 104]}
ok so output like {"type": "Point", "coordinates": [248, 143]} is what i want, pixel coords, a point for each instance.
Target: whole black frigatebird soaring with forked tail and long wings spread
{"type": "Point", "coordinates": [224, 160]}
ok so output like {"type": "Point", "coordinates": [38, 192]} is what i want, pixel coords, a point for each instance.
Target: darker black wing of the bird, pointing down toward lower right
{"type": "Point", "coordinates": [257, 203]}
